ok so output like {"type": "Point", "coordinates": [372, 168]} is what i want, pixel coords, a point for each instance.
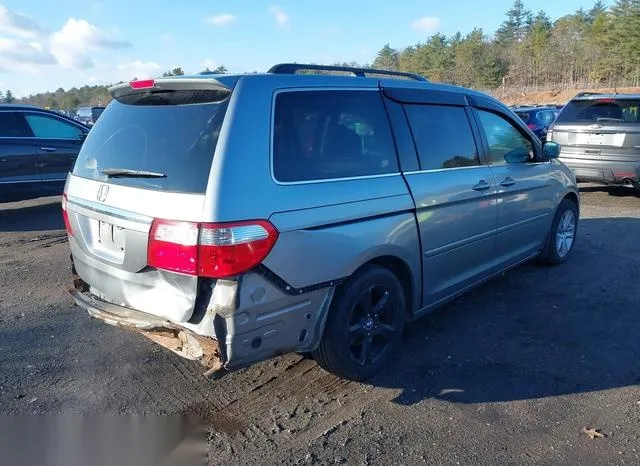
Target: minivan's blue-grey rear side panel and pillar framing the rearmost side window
{"type": "Point", "coordinates": [327, 229]}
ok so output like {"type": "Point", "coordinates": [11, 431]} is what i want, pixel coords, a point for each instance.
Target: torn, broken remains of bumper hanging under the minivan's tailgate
{"type": "Point", "coordinates": [178, 339]}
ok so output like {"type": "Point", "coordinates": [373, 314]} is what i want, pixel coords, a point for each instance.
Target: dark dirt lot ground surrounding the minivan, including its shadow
{"type": "Point", "coordinates": [508, 374]}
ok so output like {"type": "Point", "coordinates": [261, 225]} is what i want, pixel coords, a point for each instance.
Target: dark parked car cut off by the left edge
{"type": "Point", "coordinates": [37, 150]}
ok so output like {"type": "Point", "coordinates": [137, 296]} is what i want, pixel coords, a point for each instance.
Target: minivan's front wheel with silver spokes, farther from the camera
{"type": "Point", "coordinates": [562, 234]}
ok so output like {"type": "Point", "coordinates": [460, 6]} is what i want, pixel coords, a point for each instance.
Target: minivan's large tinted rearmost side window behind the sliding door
{"type": "Point", "coordinates": [323, 135]}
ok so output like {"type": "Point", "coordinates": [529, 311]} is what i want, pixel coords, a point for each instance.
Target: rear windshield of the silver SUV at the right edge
{"type": "Point", "coordinates": [601, 111]}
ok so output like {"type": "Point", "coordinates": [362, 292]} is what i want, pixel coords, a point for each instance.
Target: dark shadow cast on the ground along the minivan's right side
{"type": "Point", "coordinates": [536, 331]}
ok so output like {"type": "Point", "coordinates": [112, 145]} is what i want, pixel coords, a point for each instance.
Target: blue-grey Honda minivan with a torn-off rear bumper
{"type": "Point", "coordinates": [236, 218]}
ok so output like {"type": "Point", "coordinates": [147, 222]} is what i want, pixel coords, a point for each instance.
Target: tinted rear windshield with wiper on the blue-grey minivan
{"type": "Point", "coordinates": [164, 134]}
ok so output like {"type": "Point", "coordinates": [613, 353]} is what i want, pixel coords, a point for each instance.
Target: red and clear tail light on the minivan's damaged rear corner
{"type": "Point", "coordinates": [214, 250]}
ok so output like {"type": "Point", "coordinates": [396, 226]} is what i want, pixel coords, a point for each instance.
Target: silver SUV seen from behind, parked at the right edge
{"type": "Point", "coordinates": [600, 138]}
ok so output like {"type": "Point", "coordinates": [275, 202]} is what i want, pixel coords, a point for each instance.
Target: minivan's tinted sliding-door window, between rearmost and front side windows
{"type": "Point", "coordinates": [443, 136]}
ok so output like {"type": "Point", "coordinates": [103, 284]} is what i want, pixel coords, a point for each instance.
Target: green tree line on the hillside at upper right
{"type": "Point", "coordinates": [599, 46]}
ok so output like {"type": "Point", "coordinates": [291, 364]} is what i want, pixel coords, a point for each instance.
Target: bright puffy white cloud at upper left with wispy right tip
{"type": "Point", "coordinates": [74, 43]}
